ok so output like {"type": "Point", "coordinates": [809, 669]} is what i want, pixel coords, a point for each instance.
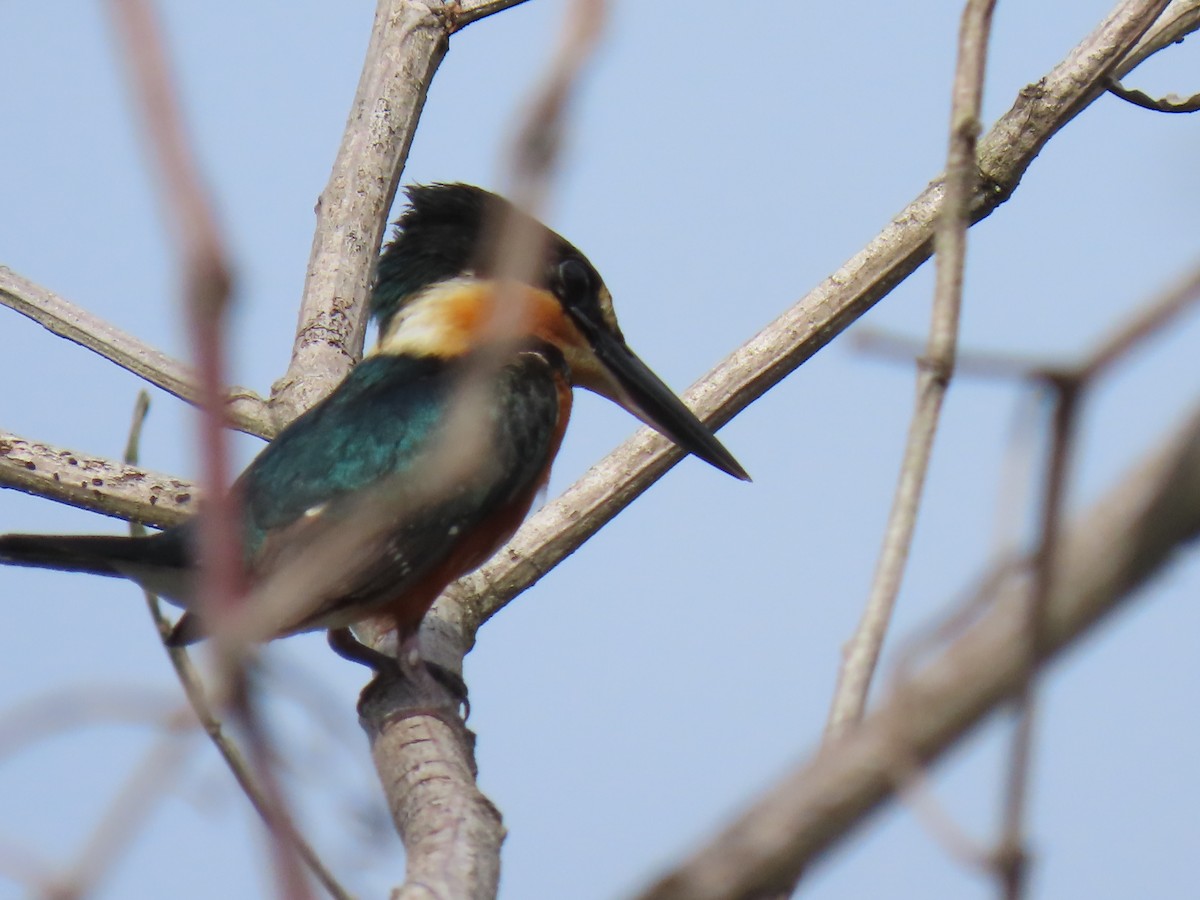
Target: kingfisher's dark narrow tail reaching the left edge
{"type": "Point", "coordinates": [93, 554]}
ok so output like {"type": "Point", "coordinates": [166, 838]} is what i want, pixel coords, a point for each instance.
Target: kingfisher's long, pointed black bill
{"type": "Point", "coordinates": [655, 404]}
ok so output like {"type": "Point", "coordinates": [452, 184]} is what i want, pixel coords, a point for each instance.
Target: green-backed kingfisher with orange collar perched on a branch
{"type": "Point", "coordinates": [427, 459]}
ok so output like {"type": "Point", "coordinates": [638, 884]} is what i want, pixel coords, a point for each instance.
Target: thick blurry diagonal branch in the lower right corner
{"type": "Point", "coordinates": [1111, 553]}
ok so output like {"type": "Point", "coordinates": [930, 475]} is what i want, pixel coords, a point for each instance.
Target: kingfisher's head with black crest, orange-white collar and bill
{"type": "Point", "coordinates": [441, 291]}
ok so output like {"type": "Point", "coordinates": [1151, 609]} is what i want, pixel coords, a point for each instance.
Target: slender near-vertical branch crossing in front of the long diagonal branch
{"type": "Point", "coordinates": [934, 374]}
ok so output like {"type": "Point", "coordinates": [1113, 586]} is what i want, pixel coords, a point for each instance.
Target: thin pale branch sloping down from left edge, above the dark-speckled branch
{"type": "Point", "coordinates": [245, 410]}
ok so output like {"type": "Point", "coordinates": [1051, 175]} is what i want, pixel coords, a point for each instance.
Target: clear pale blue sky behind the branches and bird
{"type": "Point", "coordinates": [722, 163]}
